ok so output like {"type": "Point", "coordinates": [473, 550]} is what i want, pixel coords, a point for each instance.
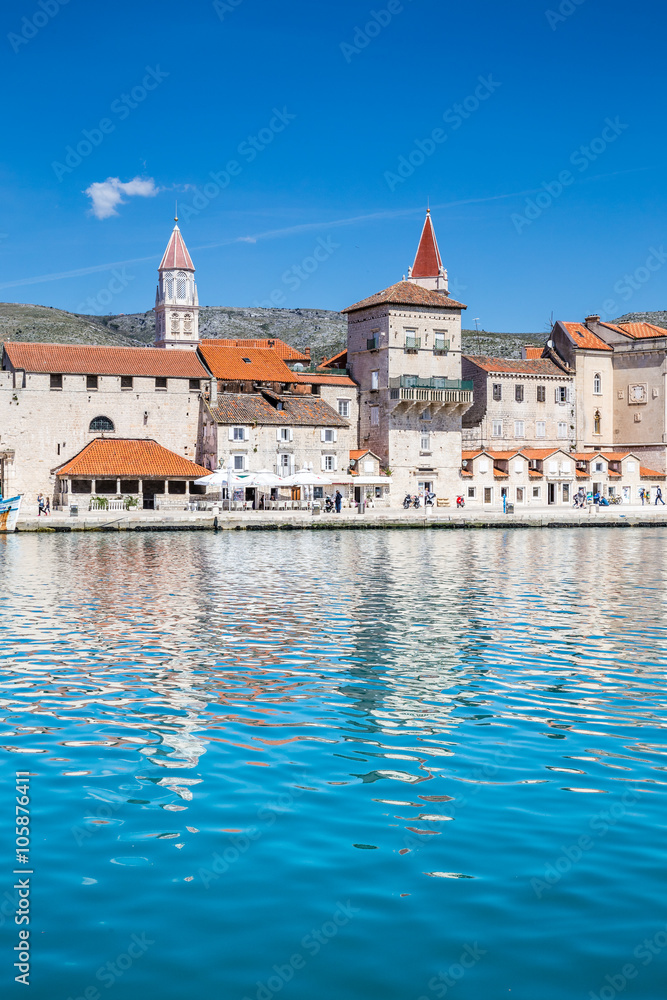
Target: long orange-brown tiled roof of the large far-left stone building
{"type": "Point", "coordinates": [78, 359]}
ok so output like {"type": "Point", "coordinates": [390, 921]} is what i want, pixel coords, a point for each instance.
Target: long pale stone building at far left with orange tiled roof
{"type": "Point", "coordinates": [57, 398]}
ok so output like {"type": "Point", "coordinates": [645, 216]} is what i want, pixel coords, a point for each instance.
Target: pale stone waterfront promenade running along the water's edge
{"type": "Point", "coordinates": [530, 517]}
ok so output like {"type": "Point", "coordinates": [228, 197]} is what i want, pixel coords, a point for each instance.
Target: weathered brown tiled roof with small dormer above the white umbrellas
{"type": "Point", "coordinates": [255, 408]}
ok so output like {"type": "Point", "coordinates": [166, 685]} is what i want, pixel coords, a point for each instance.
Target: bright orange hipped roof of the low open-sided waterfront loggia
{"type": "Point", "coordinates": [128, 457]}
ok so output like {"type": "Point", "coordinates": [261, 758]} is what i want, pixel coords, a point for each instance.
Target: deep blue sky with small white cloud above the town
{"type": "Point", "coordinates": [546, 184]}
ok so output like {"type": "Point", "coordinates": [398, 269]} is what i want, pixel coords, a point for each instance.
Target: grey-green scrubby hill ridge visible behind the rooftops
{"type": "Point", "coordinates": [322, 330]}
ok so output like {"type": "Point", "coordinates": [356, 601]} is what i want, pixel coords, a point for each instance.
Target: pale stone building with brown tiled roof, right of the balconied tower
{"type": "Point", "coordinates": [529, 402]}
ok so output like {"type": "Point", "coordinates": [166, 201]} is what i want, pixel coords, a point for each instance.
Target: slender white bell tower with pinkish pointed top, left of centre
{"type": "Point", "coordinates": [176, 300]}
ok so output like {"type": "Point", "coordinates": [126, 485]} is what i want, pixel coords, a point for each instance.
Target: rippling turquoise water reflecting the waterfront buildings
{"type": "Point", "coordinates": [393, 765]}
